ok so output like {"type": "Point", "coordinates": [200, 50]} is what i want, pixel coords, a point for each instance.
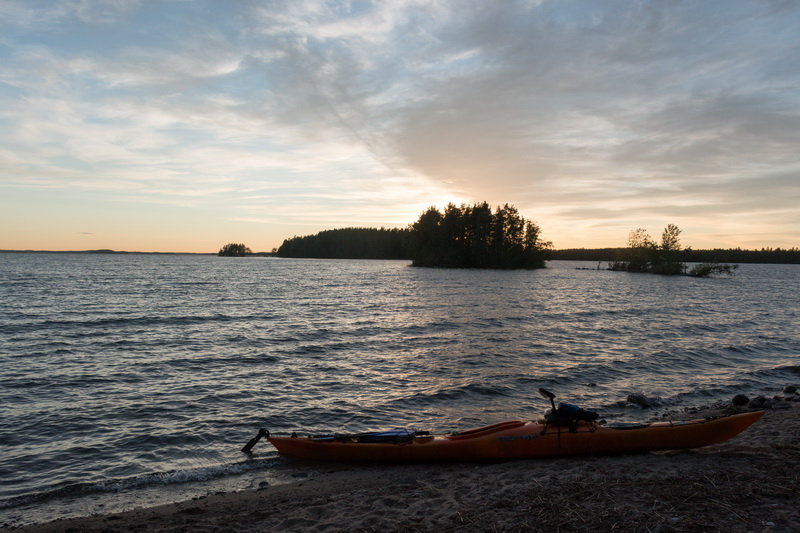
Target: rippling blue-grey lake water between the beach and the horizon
{"type": "Point", "coordinates": [132, 380]}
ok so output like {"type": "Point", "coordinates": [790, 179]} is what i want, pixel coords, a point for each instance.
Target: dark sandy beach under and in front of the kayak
{"type": "Point", "coordinates": [750, 483]}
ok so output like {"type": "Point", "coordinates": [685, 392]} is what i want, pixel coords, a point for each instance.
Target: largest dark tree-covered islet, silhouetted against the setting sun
{"type": "Point", "coordinates": [471, 236]}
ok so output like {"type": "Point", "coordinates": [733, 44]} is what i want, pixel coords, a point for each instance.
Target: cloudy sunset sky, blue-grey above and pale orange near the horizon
{"type": "Point", "coordinates": [181, 126]}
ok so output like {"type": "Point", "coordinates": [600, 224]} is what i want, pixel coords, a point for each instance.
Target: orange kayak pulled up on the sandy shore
{"type": "Point", "coordinates": [517, 439]}
